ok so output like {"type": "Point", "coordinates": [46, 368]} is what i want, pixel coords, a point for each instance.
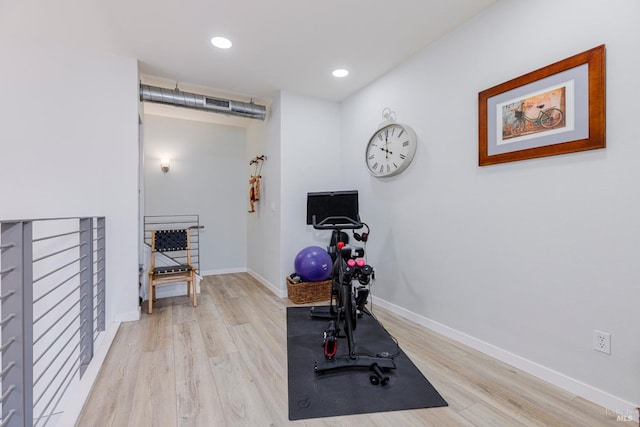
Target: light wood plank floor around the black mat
{"type": "Point", "coordinates": [224, 363]}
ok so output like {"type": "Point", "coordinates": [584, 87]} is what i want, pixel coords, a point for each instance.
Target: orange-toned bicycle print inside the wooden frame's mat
{"type": "Point", "coordinates": [535, 114]}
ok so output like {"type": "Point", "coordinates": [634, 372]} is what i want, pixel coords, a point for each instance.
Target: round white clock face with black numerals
{"type": "Point", "coordinates": [390, 150]}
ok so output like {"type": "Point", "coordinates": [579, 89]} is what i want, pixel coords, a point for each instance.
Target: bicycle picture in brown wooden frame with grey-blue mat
{"type": "Point", "coordinates": [557, 109]}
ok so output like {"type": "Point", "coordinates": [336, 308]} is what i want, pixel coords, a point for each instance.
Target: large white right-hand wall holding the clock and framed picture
{"type": "Point", "coordinates": [523, 260]}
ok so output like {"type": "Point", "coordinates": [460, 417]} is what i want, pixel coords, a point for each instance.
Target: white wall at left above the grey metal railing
{"type": "Point", "coordinates": [68, 147]}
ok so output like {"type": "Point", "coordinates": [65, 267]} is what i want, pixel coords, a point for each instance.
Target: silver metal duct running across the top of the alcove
{"type": "Point", "coordinates": [201, 102]}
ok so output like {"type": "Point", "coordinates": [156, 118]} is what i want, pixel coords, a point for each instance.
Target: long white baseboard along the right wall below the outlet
{"type": "Point", "coordinates": [597, 396]}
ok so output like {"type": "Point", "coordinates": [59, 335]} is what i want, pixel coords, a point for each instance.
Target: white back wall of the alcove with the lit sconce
{"type": "Point", "coordinates": [207, 177]}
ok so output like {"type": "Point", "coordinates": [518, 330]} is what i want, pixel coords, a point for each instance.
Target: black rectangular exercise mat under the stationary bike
{"type": "Point", "coordinates": [346, 392]}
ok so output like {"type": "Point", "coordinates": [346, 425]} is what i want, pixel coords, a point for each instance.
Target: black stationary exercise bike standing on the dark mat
{"type": "Point", "coordinates": [350, 277]}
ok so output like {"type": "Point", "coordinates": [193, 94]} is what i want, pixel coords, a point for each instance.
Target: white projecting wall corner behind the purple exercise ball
{"type": "Point", "coordinates": [302, 142]}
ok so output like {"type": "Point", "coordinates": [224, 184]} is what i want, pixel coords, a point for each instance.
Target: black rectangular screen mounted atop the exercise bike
{"type": "Point", "coordinates": [332, 203]}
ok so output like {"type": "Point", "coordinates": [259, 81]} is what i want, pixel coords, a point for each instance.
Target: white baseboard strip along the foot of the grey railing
{"type": "Point", "coordinates": [77, 400]}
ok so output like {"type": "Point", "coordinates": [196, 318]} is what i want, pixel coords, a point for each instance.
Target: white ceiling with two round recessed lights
{"type": "Point", "coordinates": [290, 45]}
